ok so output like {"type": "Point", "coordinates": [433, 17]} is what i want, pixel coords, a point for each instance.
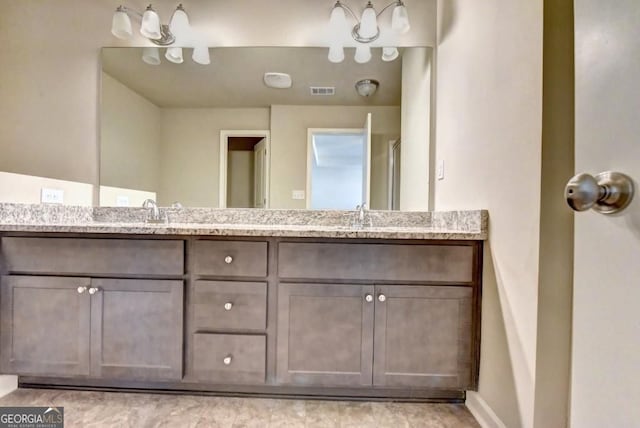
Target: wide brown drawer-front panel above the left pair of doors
{"type": "Point", "coordinates": [93, 256]}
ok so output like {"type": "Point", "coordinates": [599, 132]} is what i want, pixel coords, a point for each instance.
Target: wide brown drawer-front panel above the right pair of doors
{"type": "Point", "coordinates": [382, 262]}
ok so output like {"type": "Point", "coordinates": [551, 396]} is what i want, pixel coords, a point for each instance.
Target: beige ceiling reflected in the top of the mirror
{"type": "Point", "coordinates": [235, 77]}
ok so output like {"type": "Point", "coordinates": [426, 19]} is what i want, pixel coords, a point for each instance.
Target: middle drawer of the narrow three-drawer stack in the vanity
{"type": "Point", "coordinates": [220, 305]}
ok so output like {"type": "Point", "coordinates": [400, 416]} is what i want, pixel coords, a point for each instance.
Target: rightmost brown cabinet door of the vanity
{"type": "Point", "coordinates": [423, 337]}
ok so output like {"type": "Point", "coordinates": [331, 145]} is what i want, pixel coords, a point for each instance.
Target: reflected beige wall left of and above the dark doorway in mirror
{"type": "Point", "coordinates": [190, 153]}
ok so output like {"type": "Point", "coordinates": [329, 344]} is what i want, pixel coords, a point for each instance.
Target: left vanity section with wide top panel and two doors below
{"type": "Point", "coordinates": [80, 325]}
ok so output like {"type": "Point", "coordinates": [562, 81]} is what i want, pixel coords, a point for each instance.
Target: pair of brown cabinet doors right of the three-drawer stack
{"type": "Point", "coordinates": [363, 335]}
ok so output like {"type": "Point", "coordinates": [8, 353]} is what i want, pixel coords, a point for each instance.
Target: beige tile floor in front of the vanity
{"type": "Point", "coordinates": [111, 409]}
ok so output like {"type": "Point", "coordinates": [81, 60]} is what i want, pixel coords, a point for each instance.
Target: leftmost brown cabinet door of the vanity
{"type": "Point", "coordinates": [44, 325]}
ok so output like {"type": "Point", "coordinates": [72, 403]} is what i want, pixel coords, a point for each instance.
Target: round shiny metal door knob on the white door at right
{"type": "Point", "coordinates": [607, 193]}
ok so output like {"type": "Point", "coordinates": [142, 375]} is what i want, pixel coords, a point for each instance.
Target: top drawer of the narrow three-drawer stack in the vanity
{"type": "Point", "coordinates": [230, 258]}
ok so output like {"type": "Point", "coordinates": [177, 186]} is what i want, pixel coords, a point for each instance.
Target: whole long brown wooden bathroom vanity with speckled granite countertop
{"type": "Point", "coordinates": [288, 309]}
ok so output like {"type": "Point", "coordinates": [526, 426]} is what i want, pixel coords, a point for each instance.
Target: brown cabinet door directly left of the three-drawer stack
{"type": "Point", "coordinates": [136, 329]}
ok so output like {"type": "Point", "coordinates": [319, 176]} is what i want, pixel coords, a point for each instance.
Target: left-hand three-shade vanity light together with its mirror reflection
{"type": "Point", "coordinates": [160, 34]}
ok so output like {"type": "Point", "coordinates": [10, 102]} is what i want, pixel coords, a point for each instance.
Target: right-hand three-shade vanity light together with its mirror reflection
{"type": "Point", "coordinates": [366, 29]}
